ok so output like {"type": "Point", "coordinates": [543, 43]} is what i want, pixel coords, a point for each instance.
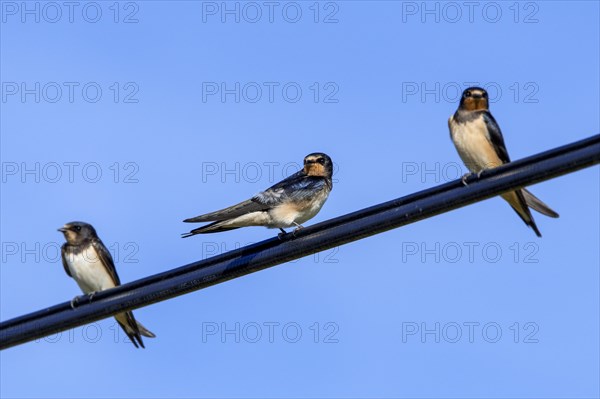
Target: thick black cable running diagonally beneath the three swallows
{"type": "Point", "coordinates": [307, 241]}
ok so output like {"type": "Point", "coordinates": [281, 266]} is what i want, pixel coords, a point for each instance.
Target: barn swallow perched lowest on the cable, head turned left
{"type": "Point", "coordinates": [86, 259]}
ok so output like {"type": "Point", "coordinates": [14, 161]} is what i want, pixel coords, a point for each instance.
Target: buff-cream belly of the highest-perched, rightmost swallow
{"type": "Point", "coordinates": [473, 146]}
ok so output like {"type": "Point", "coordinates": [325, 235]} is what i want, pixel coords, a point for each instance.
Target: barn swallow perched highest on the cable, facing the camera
{"type": "Point", "coordinates": [480, 144]}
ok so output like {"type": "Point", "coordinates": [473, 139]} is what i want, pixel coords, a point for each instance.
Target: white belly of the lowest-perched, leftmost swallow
{"type": "Point", "coordinates": [88, 271]}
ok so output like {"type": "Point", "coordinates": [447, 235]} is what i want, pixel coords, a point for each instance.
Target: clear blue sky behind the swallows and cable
{"type": "Point", "coordinates": [177, 109]}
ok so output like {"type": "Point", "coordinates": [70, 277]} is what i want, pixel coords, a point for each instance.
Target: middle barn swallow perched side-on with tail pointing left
{"type": "Point", "coordinates": [288, 203]}
